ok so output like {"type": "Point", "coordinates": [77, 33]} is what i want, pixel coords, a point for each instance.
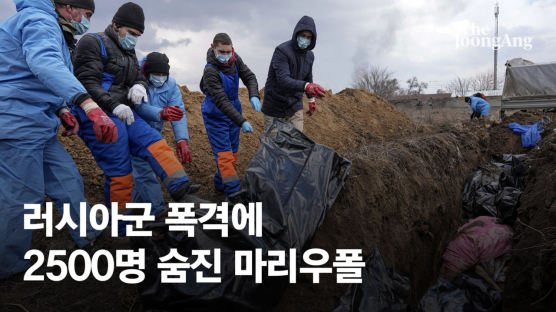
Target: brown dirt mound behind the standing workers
{"type": "Point", "coordinates": [343, 122]}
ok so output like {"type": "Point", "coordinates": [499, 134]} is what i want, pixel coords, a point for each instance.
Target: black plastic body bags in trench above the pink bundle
{"type": "Point", "coordinates": [495, 189]}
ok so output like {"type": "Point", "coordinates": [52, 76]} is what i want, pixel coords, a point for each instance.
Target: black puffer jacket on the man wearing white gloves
{"type": "Point", "coordinates": [121, 68]}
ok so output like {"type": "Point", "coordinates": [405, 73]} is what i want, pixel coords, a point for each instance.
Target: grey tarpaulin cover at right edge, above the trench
{"type": "Point", "coordinates": [536, 81]}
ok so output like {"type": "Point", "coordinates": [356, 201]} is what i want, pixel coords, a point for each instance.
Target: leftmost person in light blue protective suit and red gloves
{"type": "Point", "coordinates": [36, 83]}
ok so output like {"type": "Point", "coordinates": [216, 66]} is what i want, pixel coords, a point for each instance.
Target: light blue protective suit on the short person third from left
{"type": "Point", "coordinates": [147, 188]}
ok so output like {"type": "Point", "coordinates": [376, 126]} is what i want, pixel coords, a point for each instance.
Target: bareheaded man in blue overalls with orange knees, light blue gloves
{"type": "Point", "coordinates": [222, 112]}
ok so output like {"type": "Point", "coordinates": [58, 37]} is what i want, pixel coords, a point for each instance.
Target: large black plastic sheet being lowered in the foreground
{"type": "Point", "coordinates": [297, 182]}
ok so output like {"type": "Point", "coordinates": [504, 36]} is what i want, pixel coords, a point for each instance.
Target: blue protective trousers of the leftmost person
{"type": "Point", "coordinates": [28, 172]}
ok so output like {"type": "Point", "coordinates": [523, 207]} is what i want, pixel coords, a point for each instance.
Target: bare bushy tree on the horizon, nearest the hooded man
{"type": "Point", "coordinates": [376, 79]}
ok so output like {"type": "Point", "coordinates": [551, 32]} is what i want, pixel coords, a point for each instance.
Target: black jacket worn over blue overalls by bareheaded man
{"type": "Point", "coordinates": [211, 84]}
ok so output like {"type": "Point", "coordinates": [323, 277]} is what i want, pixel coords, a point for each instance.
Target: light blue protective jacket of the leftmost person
{"type": "Point", "coordinates": [36, 78]}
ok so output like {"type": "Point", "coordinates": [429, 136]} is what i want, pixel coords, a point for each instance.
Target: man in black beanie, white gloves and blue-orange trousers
{"type": "Point", "coordinates": [107, 66]}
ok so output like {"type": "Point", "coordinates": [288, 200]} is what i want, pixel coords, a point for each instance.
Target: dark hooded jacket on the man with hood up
{"type": "Point", "coordinates": [290, 69]}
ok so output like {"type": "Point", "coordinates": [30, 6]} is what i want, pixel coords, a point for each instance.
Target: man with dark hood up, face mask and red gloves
{"type": "Point", "coordinates": [290, 75]}
